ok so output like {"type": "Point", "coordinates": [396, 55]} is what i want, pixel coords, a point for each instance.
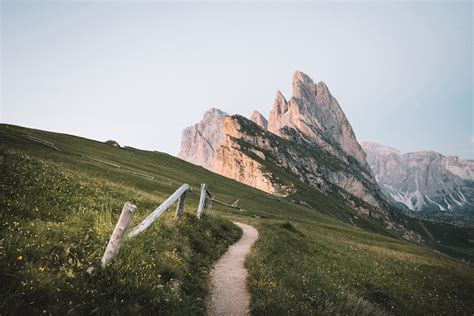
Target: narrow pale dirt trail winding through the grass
{"type": "Point", "coordinates": [228, 279]}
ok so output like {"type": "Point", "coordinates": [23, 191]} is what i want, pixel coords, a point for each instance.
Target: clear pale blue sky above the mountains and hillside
{"type": "Point", "coordinates": [140, 72]}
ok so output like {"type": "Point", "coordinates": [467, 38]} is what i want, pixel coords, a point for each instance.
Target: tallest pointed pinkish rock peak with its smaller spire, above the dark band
{"type": "Point", "coordinates": [316, 114]}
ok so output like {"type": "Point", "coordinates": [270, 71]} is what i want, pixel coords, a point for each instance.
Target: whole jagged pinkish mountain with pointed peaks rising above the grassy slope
{"type": "Point", "coordinates": [307, 138]}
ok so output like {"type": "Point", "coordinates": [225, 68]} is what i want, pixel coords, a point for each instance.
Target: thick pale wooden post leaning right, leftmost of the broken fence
{"type": "Point", "coordinates": [116, 238]}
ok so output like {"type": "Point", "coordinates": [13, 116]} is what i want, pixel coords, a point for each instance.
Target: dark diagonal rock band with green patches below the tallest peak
{"type": "Point", "coordinates": [306, 161]}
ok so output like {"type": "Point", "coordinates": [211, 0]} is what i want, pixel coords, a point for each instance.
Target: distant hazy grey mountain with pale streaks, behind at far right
{"type": "Point", "coordinates": [423, 181]}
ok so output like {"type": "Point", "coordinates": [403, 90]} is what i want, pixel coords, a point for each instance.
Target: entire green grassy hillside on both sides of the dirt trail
{"type": "Point", "coordinates": [314, 254]}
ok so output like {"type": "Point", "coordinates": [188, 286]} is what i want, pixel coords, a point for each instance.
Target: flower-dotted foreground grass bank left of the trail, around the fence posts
{"type": "Point", "coordinates": [55, 224]}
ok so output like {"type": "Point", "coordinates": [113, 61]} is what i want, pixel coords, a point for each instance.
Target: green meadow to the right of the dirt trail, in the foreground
{"type": "Point", "coordinates": [329, 270]}
